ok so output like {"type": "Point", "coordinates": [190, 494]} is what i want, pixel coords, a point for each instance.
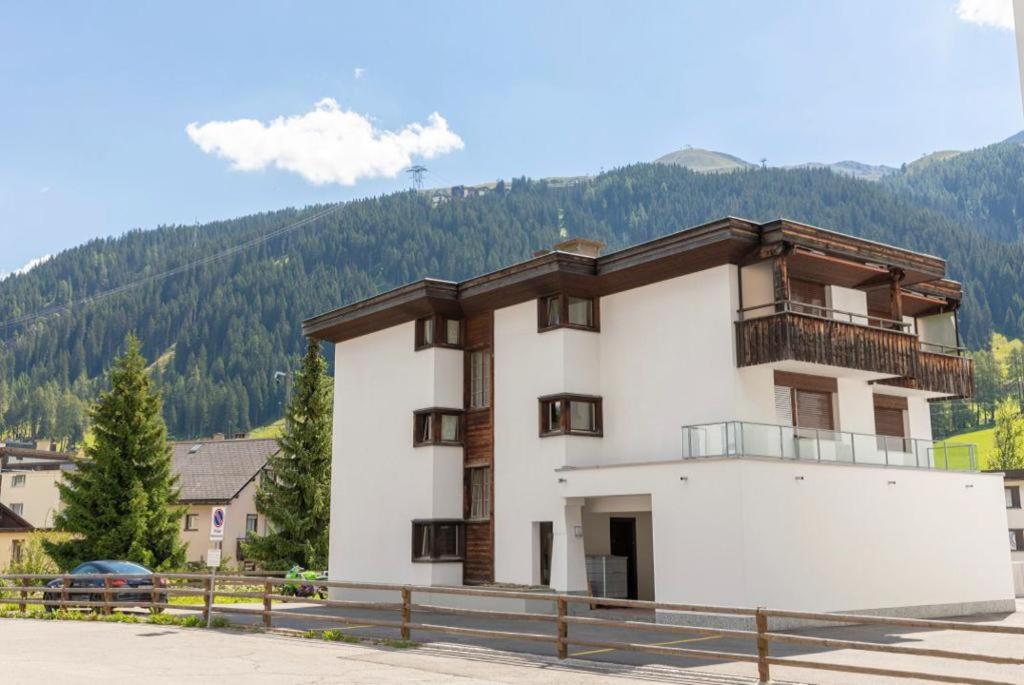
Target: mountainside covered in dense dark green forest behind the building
{"type": "Point", "coordinates": [220, 331]}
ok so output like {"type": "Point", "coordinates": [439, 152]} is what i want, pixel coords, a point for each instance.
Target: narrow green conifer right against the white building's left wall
{"type": "Point", "coordinates": [294, 494]}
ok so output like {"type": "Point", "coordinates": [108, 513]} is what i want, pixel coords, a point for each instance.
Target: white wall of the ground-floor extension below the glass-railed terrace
{"type": "Point", "coordinates": [749, 533]}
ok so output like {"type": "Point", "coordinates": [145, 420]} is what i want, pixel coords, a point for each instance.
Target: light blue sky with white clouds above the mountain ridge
{"type": "Point", "coordinates": [120, 116]}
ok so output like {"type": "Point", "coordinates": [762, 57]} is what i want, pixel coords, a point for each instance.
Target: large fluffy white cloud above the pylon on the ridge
{"type": "Point", "coordinates": [326, 146]}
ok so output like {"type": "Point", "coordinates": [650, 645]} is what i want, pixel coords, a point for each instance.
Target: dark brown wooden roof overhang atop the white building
{"type": "Point", "coordinates": [818, 253]}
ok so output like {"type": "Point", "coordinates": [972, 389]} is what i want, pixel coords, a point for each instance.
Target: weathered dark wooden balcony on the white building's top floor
{"type": "Point", "coordinates": [795, 331]}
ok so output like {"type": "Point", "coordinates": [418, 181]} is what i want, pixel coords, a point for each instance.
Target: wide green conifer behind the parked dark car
{"type": "Point", "coordinates": [122, 501]}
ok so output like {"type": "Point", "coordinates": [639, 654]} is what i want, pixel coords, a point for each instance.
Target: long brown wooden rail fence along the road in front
{"type": "Point", "coordinates": [27, 590]}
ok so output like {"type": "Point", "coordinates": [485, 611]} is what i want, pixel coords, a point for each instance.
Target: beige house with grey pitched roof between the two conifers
{"type": "Point", "coordinates": [226, 474]}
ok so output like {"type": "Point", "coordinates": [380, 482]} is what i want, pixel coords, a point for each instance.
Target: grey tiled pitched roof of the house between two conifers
{"type": "Point", "coordinates": [219, 469]}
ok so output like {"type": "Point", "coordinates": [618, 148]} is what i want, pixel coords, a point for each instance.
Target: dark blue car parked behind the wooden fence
{"type": "Point", "coordinates": [123, 575]}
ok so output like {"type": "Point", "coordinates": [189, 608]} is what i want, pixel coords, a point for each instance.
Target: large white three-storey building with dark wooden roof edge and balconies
{"type": "Point", "coordinates": [737, 414]}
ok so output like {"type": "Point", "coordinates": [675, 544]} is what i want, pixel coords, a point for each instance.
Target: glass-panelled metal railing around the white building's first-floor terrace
{"type": "Point", "coordinates": [744, 439]}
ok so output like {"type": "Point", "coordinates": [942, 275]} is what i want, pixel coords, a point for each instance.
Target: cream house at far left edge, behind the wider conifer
{"type": "Point", "coordinates": [29, 483]}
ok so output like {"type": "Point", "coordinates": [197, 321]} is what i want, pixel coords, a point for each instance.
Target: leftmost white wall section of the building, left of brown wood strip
{"type": "Point", "coordinates": [380, 483]}
